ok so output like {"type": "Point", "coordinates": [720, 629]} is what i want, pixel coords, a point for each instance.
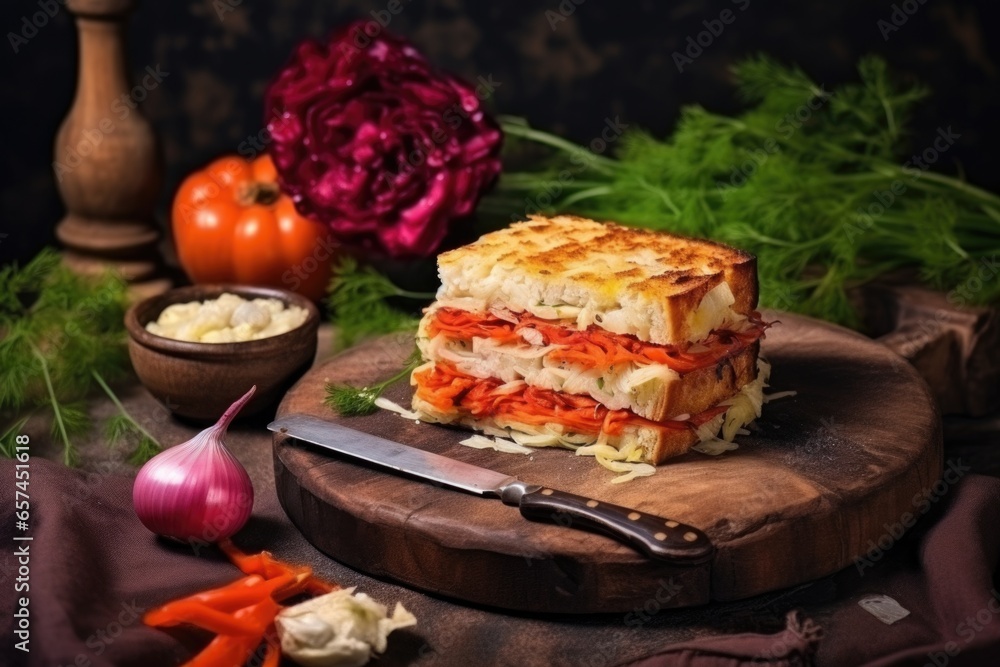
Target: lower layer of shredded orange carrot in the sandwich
{"type": "Point", "coordinates": [450, 391]}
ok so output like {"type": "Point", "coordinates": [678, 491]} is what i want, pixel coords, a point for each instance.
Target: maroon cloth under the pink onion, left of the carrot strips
{"type": "Point", "coordinates": [92, 572]}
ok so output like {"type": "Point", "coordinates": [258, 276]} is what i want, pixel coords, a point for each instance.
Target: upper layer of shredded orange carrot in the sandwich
{"type": "Point", "coordinates": [594, 347]}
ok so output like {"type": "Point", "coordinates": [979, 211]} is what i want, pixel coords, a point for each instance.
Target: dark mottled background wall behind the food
{"type": "Point", "coordinates": [606, 58]}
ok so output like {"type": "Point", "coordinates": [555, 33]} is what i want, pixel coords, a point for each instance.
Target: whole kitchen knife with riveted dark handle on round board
{"type": "Point", "coordinates": [652, 535]}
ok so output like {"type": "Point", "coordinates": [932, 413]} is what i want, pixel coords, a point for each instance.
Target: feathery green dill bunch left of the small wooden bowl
{"type": "Point", "coordinates": [59, 334]}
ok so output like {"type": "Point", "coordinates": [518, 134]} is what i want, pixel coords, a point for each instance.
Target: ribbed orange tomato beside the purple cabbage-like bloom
{"type": "Point", "coordinates": [232, 224]}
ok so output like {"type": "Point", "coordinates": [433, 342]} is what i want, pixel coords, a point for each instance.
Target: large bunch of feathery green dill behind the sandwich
{"type": "Point", "coordinates": [817, 184]}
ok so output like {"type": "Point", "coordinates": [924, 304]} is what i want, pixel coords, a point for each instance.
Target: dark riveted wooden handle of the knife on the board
{"type": "Point", "coordinates": [652, 535]}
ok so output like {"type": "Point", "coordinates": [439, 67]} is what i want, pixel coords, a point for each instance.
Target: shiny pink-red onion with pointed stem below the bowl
{"type": "Point", "coordinates": [196, 491]}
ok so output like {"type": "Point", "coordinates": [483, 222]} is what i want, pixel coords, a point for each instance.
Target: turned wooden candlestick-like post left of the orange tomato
{"type": "Point", "coordinates": [107, 157]}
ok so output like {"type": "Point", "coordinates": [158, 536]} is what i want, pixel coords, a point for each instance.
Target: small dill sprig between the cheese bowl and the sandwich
{"type": "Point", "coordinates": [358, 304]}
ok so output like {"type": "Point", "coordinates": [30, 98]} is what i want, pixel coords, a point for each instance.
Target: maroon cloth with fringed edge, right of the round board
{"type": "Point", "coordinates": [943, 573]}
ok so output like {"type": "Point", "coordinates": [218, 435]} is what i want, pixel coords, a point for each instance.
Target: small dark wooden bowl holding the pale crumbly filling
{"type": "Point", "coordinates": [201, 380]}
